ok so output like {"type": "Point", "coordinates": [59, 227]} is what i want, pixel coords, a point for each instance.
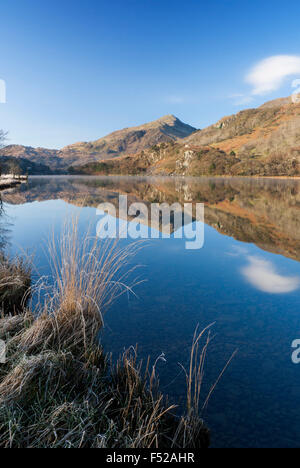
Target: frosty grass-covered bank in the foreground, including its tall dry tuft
{"type": "Point", "coordinates": [60, 389]}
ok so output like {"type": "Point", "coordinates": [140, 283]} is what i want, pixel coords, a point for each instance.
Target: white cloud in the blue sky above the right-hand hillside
{"type": "Point", "coordinates": [269, 74]}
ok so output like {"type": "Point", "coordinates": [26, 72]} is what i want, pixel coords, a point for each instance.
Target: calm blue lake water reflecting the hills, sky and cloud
{"type": "Point", "coordinates": [246, 279]}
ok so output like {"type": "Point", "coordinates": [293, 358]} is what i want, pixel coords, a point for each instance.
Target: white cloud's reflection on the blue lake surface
{"type": "Point", "coordinates": [264, 277]}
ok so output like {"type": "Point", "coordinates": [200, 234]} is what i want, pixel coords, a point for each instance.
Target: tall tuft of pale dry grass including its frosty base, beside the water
{"type": "Point", "coordinates": [89, 275]}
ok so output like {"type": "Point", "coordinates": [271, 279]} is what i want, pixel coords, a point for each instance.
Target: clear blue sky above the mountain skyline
{"type": "Point", "coordinates": [77, 70]}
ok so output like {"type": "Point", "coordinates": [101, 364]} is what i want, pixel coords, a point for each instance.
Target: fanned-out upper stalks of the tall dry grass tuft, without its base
{"type": "Point", "coordinates": [85, 267]}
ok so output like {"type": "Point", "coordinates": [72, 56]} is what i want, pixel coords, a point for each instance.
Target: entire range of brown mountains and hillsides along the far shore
{"type": "Point", "coordinates": [258, 141]}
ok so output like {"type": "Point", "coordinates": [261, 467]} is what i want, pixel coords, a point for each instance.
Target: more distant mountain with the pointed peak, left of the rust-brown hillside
{"type": "Point", "coordinates": [129, 140]}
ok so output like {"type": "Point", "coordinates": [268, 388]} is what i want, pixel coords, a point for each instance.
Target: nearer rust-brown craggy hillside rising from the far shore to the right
{"type": "Point", "coordinates": [262, 142]}
